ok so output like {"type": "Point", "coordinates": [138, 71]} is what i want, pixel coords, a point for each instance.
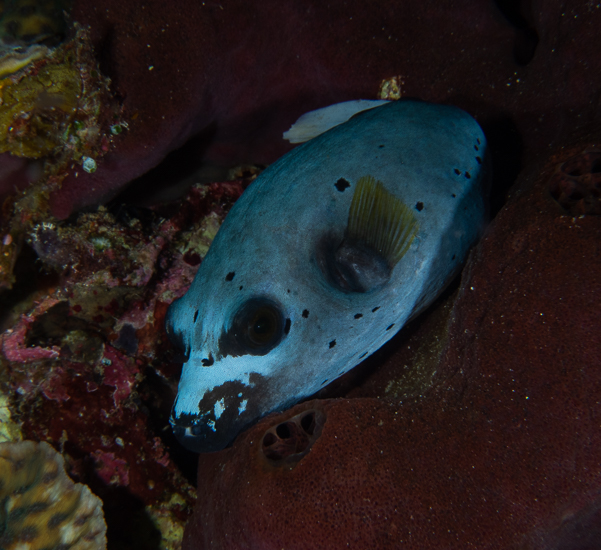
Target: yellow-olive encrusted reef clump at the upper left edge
{"type": "Point", "coordinates": [57, 110]}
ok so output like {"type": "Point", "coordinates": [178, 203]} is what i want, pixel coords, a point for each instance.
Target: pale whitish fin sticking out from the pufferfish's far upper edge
{"type": "Point", "coordinates": [314, 123]}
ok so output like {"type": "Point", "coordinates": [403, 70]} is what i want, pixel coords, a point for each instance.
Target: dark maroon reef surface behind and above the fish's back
{"type": "Point", "coordinates": [521, 70]}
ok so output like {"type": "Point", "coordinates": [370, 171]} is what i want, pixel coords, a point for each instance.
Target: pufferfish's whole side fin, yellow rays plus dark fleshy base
{"type": "Point", "coordinates": [379, 233]}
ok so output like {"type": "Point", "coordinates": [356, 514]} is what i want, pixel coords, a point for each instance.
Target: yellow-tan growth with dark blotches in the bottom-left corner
{"type": "Point", "coordinates": [40, 507]}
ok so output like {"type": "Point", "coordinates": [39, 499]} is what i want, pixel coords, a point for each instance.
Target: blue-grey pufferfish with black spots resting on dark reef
{"type": "Point", "coordinates": [328, 253]}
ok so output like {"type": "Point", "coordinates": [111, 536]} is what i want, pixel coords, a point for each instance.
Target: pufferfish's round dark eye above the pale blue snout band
{"type": "Point", "coordinates": [258, 326]}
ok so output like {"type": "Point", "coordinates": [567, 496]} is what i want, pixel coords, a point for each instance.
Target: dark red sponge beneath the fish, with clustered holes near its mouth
{"type": "Point", "coordinates": [501, 451]}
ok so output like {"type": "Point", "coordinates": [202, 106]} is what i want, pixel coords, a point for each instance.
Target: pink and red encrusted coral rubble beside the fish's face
{"type": "Point", "coordinates": [87, 364]}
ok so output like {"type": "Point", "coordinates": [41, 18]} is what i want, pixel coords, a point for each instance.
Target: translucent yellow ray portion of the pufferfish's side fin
{"type": "Point", "coordinates": [380, 220]}
